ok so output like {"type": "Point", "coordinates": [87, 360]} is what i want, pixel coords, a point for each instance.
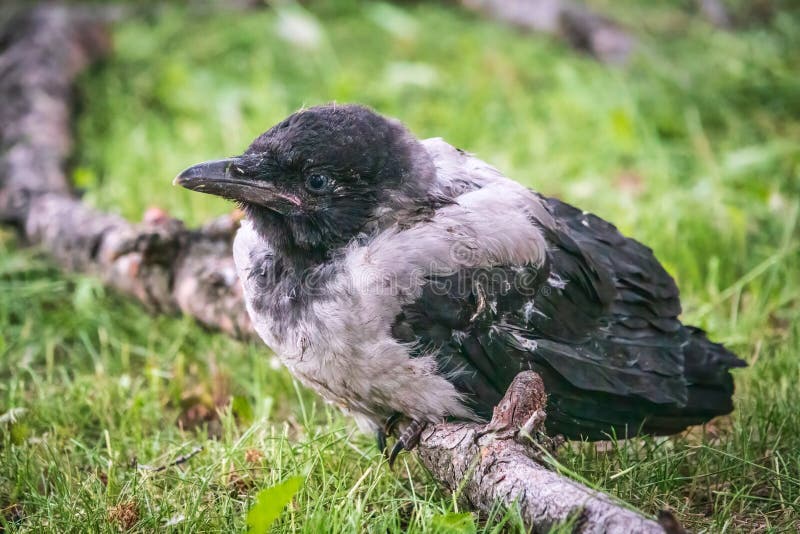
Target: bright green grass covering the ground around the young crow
{"type": "Point", "coordinates": [694, 148]}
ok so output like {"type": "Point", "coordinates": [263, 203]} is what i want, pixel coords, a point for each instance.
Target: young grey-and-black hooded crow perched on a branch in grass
{"type": "Point", "coordinates": [408, 282]}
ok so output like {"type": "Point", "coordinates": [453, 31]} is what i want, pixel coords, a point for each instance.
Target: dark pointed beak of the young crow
{"type": "Point", "coordinates": [224, 178]}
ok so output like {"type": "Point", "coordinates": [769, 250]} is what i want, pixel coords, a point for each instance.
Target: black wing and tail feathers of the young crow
{"type": "Point", "coordinates": [598, 322]}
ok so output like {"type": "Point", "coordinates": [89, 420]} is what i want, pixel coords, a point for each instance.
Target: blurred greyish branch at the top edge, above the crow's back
{"type": "Point", "coordinates": [565, 19]}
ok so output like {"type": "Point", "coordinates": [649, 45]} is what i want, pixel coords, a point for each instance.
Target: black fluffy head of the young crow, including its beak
{"type": "Point", "coordinates": [314, 181]}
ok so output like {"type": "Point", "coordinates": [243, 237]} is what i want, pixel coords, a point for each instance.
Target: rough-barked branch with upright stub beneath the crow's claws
{"type": "Point", "coordinates": [493, 464]}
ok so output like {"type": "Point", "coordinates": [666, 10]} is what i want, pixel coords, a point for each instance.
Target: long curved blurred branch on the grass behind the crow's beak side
{"type": "Point", "coordinates": [167, 267]}
